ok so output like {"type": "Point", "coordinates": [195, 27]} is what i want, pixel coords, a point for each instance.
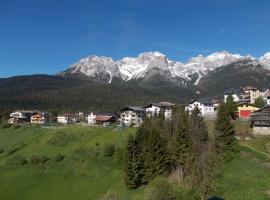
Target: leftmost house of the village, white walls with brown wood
{"type": "Point", "coordinates": [20, 116]}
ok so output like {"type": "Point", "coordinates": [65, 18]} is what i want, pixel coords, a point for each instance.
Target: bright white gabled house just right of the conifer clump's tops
{"type": "Point", "coordinates": [206, 107]}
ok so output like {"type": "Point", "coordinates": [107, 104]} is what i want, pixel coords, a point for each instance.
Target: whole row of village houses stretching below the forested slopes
{"type": "Point", "coordinates": [245, 98]}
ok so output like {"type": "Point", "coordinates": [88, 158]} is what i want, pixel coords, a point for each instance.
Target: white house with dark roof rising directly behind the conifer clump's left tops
{"type": "Point", "coordinates": [156, 108]}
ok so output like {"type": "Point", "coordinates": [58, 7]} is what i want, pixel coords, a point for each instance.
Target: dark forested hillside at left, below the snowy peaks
{"type": "Point", "coordinates": [72, 94]}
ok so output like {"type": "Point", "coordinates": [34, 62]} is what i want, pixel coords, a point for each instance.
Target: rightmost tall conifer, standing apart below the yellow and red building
{"type": "Point", "coordinates": [225, 131]}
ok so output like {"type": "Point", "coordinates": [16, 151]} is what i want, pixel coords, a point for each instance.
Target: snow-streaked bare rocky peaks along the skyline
{"type": "Point", "coordinates": [151, 64]}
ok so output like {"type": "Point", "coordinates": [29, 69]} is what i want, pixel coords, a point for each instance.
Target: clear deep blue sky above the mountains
{"type": "Point", "coordinates": [47, 36]}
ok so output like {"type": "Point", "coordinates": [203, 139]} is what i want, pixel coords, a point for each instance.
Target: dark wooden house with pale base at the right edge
{"type": "Point", "coordinates": [260, 121]}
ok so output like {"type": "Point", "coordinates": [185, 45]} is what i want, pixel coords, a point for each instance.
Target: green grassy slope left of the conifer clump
{"type": "Point", "coordinates": [84, 173]}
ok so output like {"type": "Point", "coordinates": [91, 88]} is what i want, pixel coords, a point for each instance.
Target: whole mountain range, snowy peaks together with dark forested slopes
{"type": "Point", "coordinates": [100, 83]}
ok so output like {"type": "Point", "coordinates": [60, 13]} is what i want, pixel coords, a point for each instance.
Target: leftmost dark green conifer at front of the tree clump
{"type": "Point", "coordinates": [133, 164]}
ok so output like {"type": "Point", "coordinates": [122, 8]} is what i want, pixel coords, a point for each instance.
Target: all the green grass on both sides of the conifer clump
{"type": "Point", "coordinates": [71, 163]}
